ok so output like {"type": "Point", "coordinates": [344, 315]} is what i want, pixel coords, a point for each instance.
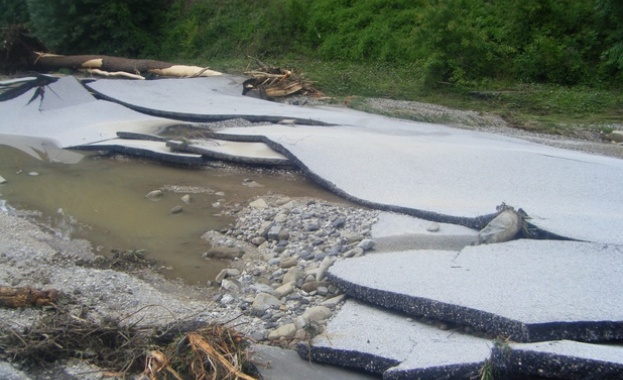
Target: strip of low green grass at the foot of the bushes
{"type": "Point", "coordinates": [552, 109]}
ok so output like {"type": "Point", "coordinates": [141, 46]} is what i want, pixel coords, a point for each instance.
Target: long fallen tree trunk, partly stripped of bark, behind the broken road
{"type": "Point", "coordinates": [105, 63]}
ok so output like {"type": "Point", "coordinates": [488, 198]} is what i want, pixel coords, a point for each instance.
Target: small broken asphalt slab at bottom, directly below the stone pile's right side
{"type": "Point", "coordinates": [392, 344]}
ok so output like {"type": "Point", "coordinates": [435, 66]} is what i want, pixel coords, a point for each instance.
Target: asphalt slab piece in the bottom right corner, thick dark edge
{"type": "Point", "coordinates": [562, 359]}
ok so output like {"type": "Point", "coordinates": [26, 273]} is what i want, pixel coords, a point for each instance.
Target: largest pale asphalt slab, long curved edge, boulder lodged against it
{"type": "Point", "coordinates": [457, 176]}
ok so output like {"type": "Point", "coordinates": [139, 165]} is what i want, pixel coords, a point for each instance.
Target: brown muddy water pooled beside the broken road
{"type": "Point", "coordinates": [103, 200]}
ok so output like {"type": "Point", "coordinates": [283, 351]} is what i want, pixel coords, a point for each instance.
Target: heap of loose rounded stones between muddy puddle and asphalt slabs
{"type": "Point", "coordinates": [282, 249]}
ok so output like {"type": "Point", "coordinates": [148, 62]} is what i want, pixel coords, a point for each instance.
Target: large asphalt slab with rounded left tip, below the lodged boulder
{"type": "Point", "coordinates": [525, 290]}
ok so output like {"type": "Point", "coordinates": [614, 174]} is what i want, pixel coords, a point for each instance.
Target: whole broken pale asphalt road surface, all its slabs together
{"type": "Point", "coordinates": [555, 293]}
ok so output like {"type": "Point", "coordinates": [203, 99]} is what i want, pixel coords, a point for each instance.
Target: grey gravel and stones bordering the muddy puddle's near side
{"type": "Point", "coordinates": [275, 291]}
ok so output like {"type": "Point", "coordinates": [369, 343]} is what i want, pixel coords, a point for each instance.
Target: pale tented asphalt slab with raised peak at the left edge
{"type": "Point", "coordinates": [64, 115]}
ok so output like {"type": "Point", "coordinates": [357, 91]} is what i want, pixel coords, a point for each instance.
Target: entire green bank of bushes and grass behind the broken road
{"type": "Point", "coordinates": [541, 64]}
